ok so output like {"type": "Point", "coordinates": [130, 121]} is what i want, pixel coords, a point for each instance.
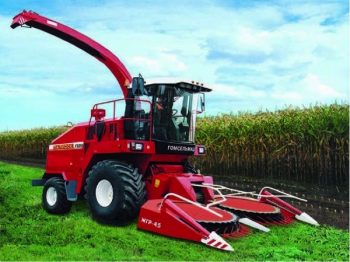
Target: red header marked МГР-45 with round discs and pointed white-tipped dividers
{"type": "Point", "coordinates": [225, 216]}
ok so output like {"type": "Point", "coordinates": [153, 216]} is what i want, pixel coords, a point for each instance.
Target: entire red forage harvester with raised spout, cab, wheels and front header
{"type": "Point", "coordinates": [131, 159]}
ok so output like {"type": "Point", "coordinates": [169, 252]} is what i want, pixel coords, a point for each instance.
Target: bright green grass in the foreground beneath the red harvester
{"type": "Point", "coordinates": [27, 232]}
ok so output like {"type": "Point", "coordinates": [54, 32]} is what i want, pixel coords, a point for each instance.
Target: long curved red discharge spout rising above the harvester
{"type": "Point", "coordinates": [102, 54]}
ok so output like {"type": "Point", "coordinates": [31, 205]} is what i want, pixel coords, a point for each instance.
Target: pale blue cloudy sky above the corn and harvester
{"type": "Point", "coordinates": [255, 55]}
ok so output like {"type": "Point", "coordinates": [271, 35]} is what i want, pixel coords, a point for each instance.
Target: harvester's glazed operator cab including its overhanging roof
{"type": "Point", "coordinates": [174, 110]}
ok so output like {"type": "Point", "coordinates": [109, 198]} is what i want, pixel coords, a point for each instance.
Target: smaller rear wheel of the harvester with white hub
{"type": "Point", "coordinates": [60, 205]}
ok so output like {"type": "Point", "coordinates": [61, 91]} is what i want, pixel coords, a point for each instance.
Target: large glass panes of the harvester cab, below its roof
{"type": "Point", "coordinates": [174, 114]}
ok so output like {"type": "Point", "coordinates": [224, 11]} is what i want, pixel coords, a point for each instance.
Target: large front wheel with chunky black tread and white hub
{"type": "Point", "coordinates": [128, 188]}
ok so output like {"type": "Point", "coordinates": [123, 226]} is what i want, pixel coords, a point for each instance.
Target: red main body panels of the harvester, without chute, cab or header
{"type": "Point", "coordinates": [72, 154]}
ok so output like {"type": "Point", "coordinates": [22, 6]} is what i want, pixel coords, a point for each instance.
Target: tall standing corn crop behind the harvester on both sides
{"type": "Point", "coordinates": [309, 146]}
